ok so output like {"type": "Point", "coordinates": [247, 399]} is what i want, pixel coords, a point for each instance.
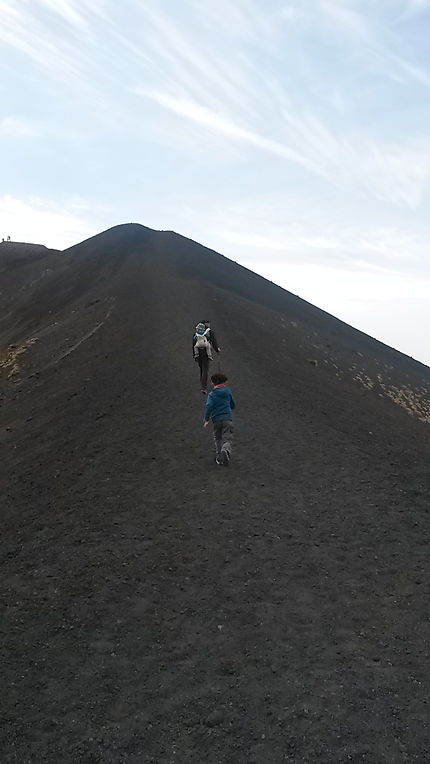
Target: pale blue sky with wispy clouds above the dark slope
{"type": "Point", "coordinates": [292, 136]}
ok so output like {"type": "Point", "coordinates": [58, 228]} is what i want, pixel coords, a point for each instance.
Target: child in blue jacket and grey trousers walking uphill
{"type": "Point", "coordinates": [219, 406]}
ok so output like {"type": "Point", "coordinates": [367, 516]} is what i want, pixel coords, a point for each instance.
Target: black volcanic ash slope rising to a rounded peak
{"type": "Point", "coordinates": [159, 609]}
